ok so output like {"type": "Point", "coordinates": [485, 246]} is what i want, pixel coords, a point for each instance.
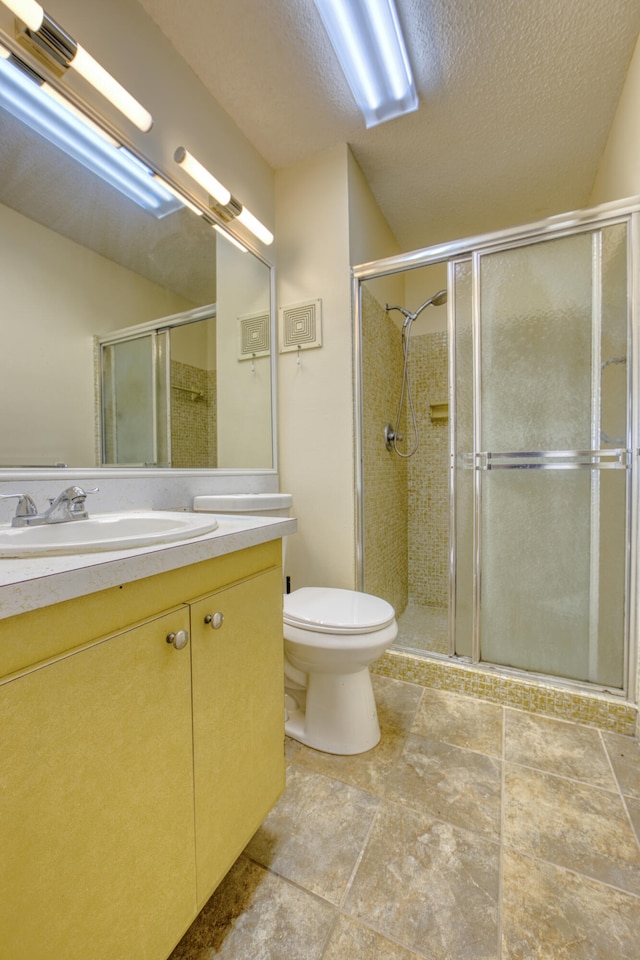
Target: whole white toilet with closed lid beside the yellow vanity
{"type": "Point", "coordinates": [331, 637]}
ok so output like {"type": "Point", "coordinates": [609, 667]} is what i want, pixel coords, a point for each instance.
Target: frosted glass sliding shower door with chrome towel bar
{"type": "Point", "coordinates": [550, 458]}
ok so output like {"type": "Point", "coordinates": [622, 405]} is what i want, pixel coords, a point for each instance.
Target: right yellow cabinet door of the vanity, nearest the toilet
{"type": "Point", "coordinates": [238, 717]}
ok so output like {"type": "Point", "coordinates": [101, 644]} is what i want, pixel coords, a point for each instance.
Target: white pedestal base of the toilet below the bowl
{"type": "Point", "coordinates": [336, 713]}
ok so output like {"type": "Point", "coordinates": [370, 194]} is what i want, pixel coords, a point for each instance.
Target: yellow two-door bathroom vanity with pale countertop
{"type": "Point", "coordinates": [141, 730]}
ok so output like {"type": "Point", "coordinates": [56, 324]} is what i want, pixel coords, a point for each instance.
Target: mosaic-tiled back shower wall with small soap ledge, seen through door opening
{"type": "Point", "coordinates": [428, 473]}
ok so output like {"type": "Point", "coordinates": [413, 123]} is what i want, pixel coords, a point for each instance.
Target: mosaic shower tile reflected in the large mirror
{"type": "Point", "coordinates": [193, 416]}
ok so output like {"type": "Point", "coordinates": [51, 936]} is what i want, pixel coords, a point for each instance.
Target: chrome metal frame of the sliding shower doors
{"type": "Point", "coordinates": [587, 220]}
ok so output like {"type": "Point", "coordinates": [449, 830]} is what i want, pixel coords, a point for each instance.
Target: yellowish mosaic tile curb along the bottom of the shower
{"type": "Point", "coordinates": [593, 710]}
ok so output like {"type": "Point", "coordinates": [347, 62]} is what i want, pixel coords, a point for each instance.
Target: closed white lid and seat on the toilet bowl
{"type": "Point", "coordinates": [342, 610]}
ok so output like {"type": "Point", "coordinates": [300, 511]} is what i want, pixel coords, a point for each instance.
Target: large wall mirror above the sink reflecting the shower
{"type": "Point", "coordinates": [89, 281]}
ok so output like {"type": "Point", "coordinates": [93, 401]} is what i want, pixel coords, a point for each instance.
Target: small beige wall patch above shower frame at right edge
{"type": "Point", "coordinates": [619, 172]}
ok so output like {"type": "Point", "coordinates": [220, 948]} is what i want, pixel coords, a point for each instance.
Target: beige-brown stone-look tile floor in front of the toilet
{"type": "Point", "coordinates": [471, 832]}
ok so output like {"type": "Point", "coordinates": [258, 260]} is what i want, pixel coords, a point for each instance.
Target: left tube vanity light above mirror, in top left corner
{"type": "Point", "coordinates": [68, 53]}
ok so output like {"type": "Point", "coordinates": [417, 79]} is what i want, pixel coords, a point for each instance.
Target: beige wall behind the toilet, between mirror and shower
{"type": "Point", "coordinates": [327, 220]}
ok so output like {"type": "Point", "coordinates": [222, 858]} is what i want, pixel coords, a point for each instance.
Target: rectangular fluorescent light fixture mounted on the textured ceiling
{"type": "Point", "coordinates": [368, 42]}
